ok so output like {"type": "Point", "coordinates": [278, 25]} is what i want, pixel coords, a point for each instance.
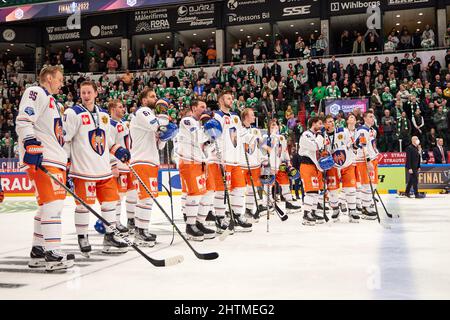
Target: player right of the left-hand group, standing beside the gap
{"type": "Point", "coordinates": [280, 163]}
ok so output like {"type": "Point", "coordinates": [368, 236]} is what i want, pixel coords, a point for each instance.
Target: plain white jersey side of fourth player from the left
{"type": "Point", "coordinates": [144, 137]}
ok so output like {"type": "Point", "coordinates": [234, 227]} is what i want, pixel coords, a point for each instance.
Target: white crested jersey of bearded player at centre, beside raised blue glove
{"type": "Point", "coordinates": [232, 138]}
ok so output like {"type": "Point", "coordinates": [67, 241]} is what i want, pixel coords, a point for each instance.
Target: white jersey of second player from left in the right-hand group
{"type": "Point", "coordinates": [339, 145]}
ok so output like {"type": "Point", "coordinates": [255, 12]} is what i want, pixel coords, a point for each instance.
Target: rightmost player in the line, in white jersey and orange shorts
{"type": "Point", "coordinates": [367, 163]}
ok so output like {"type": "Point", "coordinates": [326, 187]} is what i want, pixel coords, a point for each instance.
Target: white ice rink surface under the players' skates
{"type": "Point", "coordinates": [292, 261]}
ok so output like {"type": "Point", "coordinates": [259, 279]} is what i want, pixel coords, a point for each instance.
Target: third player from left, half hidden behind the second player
{"type": "Point", "coordinates": [126, 182]}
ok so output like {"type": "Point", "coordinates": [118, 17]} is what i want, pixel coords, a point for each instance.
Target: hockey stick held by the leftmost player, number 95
{"type": "Point", "coordinates": [157, 263]}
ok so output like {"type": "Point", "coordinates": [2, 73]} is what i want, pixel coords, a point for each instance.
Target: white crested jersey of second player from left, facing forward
{"type": "Point", "coordinates": [88, 143]}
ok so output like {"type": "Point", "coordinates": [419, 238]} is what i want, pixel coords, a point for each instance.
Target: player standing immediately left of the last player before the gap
{"type": "Point", "coordinates": [254, 157]}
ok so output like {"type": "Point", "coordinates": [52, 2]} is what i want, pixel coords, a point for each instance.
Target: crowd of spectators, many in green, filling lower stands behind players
{"type": "Point", "coordinates": [407, 98]}
